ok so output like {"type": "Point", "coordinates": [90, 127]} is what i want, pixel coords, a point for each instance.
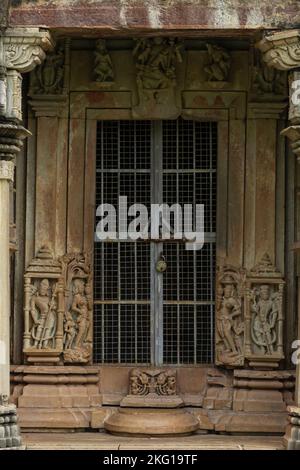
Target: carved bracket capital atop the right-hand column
{"type": "Point", "coordinates": [281, 50]}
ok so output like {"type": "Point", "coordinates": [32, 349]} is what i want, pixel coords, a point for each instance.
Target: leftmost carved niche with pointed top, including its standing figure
{"type": "Point", "coordinates": [44, 307]}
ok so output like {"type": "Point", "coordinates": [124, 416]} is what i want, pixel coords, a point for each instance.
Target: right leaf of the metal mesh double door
{"type": "Point", "coordinates": [189, 177]}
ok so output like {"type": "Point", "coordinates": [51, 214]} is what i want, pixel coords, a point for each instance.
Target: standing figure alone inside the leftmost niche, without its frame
{"type": "Point", "coordinates": [43, 313]}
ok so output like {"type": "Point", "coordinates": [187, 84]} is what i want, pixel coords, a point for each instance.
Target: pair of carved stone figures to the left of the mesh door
{"type": "Point", "coordinates": [58, 307]}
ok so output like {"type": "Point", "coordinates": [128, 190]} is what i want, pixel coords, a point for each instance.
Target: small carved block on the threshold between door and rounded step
{"type": "Point", "coordinates": [159, 382]}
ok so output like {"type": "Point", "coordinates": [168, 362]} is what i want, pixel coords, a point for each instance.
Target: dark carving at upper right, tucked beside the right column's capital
{"type": "Point", "coordinates": [267, 79]}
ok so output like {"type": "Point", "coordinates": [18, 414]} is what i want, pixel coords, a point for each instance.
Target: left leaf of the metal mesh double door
{"type": "Point", "coordinates": [122, 269]}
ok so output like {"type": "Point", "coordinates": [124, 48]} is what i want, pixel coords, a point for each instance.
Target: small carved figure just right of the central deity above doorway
{"type": "Point", "coordinates": [219, 63]}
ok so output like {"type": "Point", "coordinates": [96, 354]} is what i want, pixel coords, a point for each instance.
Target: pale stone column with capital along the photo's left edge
{"type": "Point", "coordinates": [20, 51]}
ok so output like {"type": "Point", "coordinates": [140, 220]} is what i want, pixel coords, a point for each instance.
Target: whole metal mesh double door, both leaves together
{"type": "Point", "coordinates": [135, 322]}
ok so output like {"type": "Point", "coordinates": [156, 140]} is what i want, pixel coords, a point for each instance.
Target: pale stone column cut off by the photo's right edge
{"type": "Point", "coordinates": [281, 50]}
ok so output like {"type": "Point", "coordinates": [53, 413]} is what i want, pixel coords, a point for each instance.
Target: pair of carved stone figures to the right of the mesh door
{"type": "Point", "coordinates": [249, 315]}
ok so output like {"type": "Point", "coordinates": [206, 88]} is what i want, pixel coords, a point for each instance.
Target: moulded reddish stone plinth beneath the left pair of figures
{"type": "Point", "coordinates": [57, 397]}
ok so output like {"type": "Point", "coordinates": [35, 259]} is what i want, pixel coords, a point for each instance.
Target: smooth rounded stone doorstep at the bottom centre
{"type": "Point", "coordinates": [151, 422]}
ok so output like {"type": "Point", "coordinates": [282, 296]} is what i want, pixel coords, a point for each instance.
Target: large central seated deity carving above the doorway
{"type": "Point", "coordinates": [155, 62]}
